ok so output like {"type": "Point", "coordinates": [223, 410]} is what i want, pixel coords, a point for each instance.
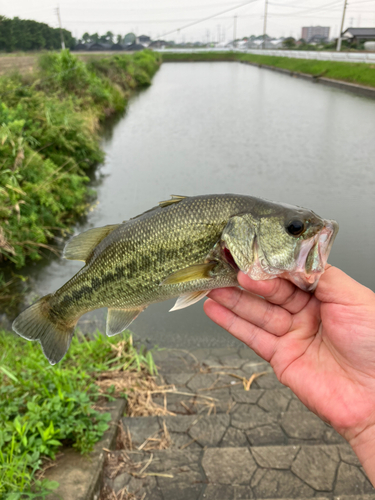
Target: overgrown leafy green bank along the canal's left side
{"type": "Point", "coordinates": [49, 138]}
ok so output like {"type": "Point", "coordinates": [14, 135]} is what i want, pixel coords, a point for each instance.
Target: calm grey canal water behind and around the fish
{"type": "Point", "coordinates": [227, 127]}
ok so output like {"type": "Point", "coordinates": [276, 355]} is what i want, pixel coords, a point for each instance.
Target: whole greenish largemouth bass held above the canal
{"type": "Point", "coordinates": [184, 247]}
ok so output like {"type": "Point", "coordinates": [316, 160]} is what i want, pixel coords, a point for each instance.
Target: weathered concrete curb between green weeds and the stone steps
{"type": "Point", "coordinates": [79, 476]}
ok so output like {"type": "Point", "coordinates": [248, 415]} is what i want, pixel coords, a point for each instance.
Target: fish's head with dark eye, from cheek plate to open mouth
{"type": "Point", "coordinates": [293, 243]}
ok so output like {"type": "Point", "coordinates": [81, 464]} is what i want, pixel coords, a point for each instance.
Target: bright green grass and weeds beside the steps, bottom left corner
{"type": "Point", "coordinates": [43, 407]}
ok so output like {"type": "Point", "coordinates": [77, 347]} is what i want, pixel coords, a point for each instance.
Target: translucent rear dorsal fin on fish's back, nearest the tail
{"type": "Point", "coordinates": [80, 247]}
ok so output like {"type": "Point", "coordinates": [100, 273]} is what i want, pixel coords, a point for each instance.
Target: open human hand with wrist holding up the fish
{"type": "Point", "coordinates": [322, 346]}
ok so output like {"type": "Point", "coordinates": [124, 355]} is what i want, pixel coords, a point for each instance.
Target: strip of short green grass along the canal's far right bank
{"type": "Point", "coordinates": [360, 73]}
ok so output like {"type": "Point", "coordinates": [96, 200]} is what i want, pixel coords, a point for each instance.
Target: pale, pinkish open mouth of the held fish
{"type": "Point", "coordinates": [313, 257]}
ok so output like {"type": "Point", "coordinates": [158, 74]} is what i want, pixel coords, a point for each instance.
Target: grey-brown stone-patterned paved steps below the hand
{"type": "Point", "coordinates": [226, 443]}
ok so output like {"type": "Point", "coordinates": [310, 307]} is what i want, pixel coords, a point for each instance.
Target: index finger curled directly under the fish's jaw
{"type": "Point", "coordinates": [277, 291]}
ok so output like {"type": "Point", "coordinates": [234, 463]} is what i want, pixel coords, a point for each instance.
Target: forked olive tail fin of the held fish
{"type": "Point", "coordinates": [39, 322]}
